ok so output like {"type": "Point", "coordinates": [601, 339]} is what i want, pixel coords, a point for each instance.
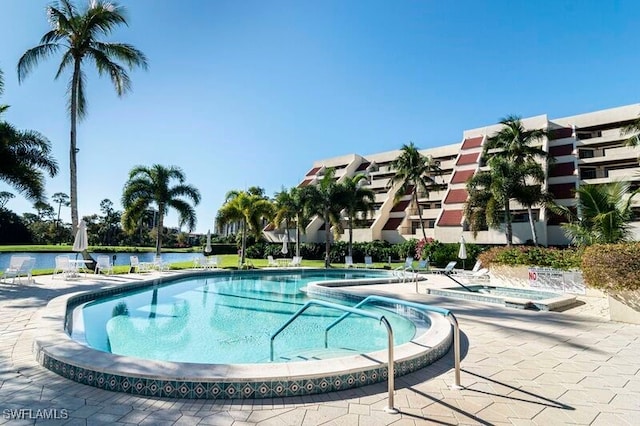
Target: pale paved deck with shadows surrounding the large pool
{"type": "Point", "coordinates": [518, 367]}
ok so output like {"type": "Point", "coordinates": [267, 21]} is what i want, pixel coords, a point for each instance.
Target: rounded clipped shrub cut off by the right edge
{"type": "Point", "coordinates": [612, 266]}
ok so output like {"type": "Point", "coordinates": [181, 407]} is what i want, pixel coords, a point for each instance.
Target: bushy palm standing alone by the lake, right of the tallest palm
{"type": "Point", "coordinates": [152, 186]}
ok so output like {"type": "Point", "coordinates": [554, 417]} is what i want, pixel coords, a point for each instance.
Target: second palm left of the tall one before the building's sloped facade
{"type": "Point", "coordinates": [325, 200]}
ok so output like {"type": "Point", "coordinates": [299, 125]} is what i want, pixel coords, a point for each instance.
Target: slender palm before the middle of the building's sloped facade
{"type": "Point", "coordinates": [415, 173]}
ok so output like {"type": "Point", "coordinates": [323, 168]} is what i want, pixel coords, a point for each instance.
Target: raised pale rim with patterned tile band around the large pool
{"type": "Point", "coordinates": [56, 351]}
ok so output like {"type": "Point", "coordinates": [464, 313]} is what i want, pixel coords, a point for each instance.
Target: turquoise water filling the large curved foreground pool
{"type": "Point", "coordinates": [229, 318]}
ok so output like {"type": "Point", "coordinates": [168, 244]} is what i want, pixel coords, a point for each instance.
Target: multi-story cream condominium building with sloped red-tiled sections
{"type": "Point", "coordinates": [583, 149]}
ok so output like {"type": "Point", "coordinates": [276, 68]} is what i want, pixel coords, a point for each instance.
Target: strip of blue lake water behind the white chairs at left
{"type": "Point", "coordinates": [47, 260]}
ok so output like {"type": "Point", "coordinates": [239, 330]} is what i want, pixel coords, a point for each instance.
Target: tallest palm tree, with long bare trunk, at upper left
{"type": "Point", "coordinates": [78, 35]}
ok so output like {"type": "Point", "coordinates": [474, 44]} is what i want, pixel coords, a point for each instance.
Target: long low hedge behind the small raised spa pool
{"type": "Point", "coordinates": [564, 259]}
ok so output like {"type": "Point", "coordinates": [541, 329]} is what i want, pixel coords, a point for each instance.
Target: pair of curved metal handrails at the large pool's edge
{"type": "Point", "coordinates": [357, 310]}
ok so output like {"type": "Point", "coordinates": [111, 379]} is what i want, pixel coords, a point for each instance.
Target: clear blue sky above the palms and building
{"type": "Point", "coordinates": [250, 93]}
